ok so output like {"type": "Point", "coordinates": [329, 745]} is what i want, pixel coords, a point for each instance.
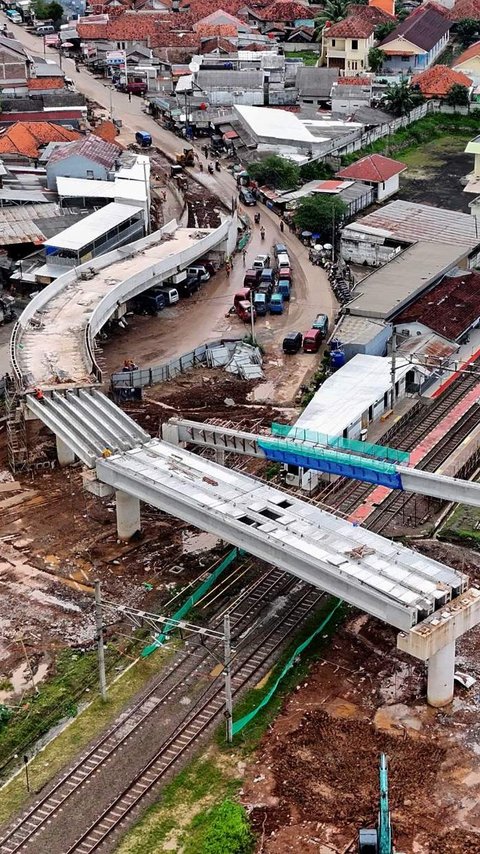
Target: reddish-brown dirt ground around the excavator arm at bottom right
{"type": "Point", "coordinates": [315, 779]}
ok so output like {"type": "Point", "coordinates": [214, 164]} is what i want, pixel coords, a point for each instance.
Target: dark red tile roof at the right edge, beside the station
{"type": "Point", "coordinates": [450, 308]}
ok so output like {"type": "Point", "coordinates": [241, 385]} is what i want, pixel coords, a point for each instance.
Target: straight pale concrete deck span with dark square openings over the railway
{"type": "Point", "coordinates": [385, 579]}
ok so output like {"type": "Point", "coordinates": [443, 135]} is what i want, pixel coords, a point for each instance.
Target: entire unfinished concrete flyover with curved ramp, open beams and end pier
{"type": "Point", "coordinates": [430, 603]}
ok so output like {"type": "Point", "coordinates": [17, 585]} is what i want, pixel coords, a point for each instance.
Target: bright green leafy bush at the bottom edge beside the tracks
{"type": "Point", "coordinates": [222, 829]}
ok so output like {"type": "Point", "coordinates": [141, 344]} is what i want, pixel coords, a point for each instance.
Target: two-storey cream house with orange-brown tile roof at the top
{"type": "Point", "coordinates": [347, 43]}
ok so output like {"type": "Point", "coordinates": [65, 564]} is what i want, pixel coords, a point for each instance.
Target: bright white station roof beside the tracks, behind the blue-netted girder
{"type": "Point", "coordinates": [347, 394]}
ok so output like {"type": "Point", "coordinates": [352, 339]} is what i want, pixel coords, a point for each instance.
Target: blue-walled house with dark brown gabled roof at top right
{"type": "Point", "coordinates": [417, 42]}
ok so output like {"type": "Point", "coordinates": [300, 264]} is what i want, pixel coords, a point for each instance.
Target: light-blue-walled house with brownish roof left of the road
{"type": "Point", "coordinates": [89, 157]}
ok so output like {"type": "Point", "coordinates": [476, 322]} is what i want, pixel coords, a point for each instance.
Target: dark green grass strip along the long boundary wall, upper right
{"type": "Point", "coordinates": [421, 132]}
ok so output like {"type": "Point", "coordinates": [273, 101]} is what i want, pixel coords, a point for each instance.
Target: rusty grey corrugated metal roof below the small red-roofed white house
{"type": "Point", "coordinates": [409, 221]}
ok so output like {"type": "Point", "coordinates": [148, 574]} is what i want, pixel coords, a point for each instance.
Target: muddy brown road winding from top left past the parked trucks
{"type": "Point", "coordinates": [180, 329]}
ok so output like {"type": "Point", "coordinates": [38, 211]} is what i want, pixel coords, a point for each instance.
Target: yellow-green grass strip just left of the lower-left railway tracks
{"type": "Point", "coordinates": [80, 732]}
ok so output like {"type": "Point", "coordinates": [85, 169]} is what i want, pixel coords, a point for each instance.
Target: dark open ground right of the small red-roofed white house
{"type": "Point", "coordinates": [434, 174]}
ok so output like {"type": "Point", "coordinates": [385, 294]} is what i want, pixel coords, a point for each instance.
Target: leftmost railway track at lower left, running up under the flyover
{"type": "Point", "coordinates": [245, 609]}
